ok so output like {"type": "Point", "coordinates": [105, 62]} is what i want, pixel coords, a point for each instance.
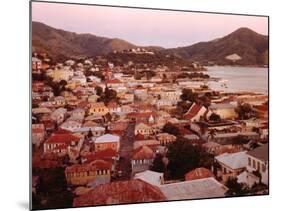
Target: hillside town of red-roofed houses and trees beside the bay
{"type": "Point", "coordinates": [140, 126]}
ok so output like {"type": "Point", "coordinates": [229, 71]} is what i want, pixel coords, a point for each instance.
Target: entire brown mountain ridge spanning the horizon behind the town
{"type": "Point", "coordinates": [249, 45]}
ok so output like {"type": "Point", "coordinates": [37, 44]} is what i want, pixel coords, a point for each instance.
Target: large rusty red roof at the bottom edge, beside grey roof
{"type": "Point", "coordinates": [122, 192]}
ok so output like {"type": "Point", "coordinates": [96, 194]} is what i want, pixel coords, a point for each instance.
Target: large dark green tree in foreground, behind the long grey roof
{"type": "Point", "coordinates": [183, 157]}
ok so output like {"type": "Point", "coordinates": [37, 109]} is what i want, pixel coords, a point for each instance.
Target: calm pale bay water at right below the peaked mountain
{"type": "Point", "coordinates": [253, 79]}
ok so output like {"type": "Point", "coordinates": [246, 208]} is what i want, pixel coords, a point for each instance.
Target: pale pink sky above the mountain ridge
{"type": "Point", "coordinates": [144, 27]}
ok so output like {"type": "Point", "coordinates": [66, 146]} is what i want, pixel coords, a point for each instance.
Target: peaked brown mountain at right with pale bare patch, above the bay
{"type": "Point", "coordinates": [248, 44]}
